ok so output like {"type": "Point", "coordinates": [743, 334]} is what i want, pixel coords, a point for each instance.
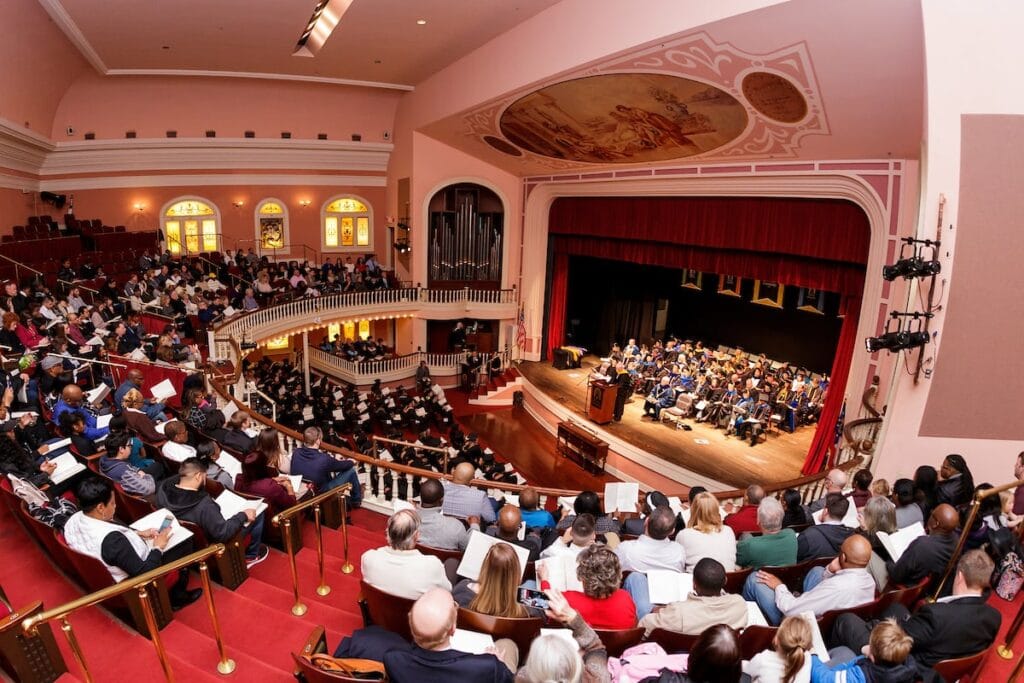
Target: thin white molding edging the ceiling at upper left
{"type": "Point", "coordinates": [78, 39]}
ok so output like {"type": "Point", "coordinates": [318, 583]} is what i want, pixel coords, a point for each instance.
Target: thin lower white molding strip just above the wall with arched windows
{"type": "Point", "coordinates": [204, 180]}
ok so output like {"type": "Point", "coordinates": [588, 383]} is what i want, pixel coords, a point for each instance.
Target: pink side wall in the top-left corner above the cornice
{"type": "Point", "coordinates": [39, 64]}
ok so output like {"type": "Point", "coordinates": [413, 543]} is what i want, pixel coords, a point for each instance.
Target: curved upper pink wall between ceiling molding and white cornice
{"type": "Point", "coordinates": [152, 106]}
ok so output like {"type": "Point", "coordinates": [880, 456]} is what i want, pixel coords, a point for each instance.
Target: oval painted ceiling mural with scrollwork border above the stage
{"type": "Point", "coordinates": [692, 98]}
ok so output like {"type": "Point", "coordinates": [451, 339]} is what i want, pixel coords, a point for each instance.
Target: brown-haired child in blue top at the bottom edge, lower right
{"type": "Point", "coordinates": [887, 659]}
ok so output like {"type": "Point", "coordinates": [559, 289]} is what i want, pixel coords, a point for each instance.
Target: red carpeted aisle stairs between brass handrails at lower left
{"type": "Point", "coordinates": [259, 628]}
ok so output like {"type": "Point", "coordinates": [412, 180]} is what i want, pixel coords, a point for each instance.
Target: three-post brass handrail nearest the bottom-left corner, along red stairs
{"type": "Point", "coordinates": [141, 585]}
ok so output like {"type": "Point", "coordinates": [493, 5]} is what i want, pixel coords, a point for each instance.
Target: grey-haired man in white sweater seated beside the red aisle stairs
{"type": "Point", "coordinates": [400, 569]}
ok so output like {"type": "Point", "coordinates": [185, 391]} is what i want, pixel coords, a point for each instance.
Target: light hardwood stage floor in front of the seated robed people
{"type": "Point", "coordinates": [726, 459]}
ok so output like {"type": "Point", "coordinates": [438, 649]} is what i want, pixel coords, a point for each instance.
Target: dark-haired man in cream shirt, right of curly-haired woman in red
{"type": "Point", "coordinates": [706, 607]}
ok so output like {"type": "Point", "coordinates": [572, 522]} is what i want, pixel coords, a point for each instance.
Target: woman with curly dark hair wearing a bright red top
{"type": "Point", "coordinates": [603, 604]}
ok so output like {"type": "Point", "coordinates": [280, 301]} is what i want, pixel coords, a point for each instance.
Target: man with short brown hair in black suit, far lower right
{"type": "Point", "coordinates": [954, 627]}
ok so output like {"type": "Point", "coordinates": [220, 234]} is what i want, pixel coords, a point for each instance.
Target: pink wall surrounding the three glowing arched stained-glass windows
{"type": "Point", "coordinates": [116, 207]}
